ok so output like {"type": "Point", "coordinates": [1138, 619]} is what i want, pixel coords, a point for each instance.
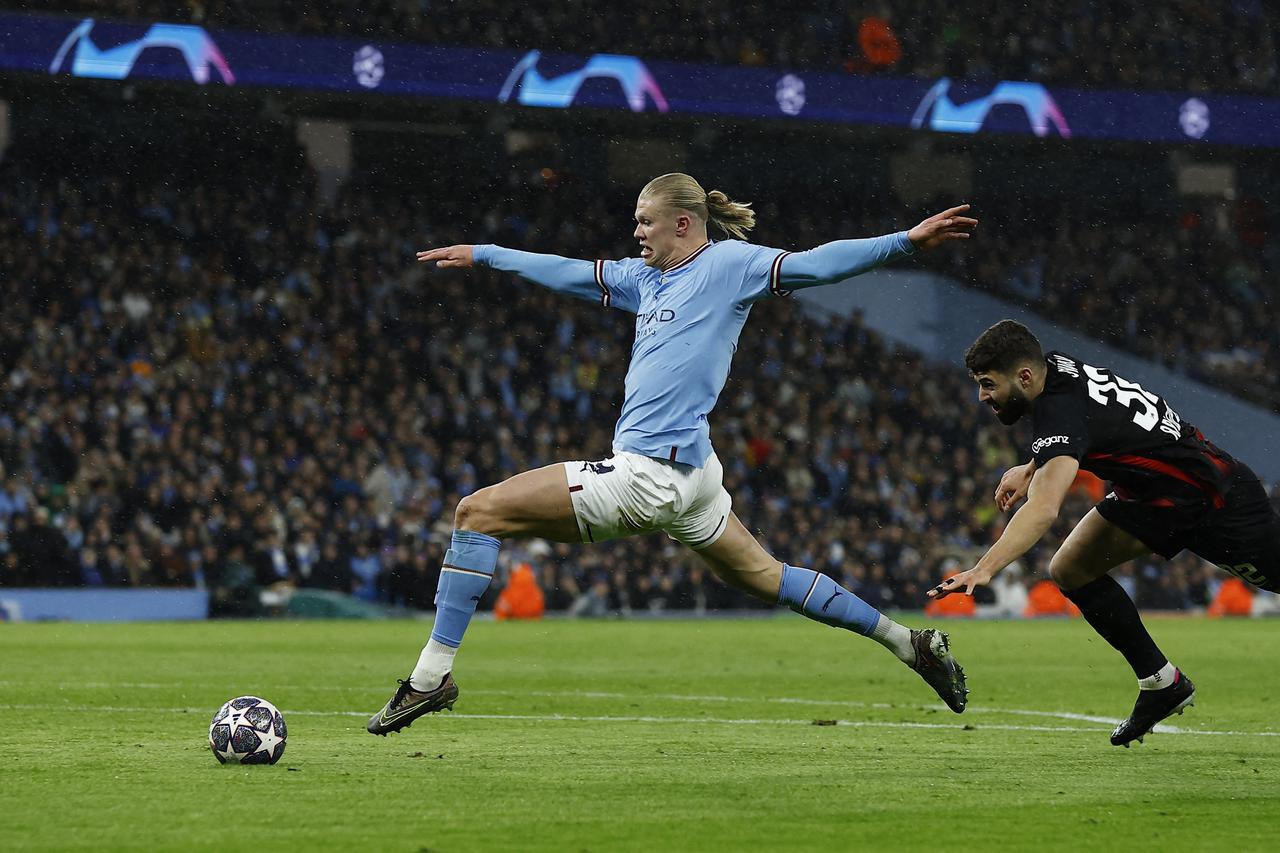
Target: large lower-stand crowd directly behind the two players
{"type": "Point", "coordinates": [239, 385]}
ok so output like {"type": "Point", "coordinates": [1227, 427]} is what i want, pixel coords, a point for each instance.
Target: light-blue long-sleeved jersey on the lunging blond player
{"type": "Point", "coordinates": [688, 322]}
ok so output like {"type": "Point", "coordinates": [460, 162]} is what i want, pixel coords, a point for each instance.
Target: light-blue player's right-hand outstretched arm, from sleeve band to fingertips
{"type": "Point", "coordinates": [843, 259]}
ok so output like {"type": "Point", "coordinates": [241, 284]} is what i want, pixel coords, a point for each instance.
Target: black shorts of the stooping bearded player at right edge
{"type": "Point", "coordinates": [1242, 537]}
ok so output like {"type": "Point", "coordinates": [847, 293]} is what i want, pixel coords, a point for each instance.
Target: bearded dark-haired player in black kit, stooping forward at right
{"type": "Point", "coordinates": [1172, 490]}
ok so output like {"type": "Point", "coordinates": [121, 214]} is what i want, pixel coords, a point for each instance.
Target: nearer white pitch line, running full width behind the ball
{"type": "Point", "coordinates": [566, 718]}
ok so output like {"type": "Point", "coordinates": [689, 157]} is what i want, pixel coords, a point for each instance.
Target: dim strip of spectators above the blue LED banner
{"type": "Point", "coordinates": [1187, 44]}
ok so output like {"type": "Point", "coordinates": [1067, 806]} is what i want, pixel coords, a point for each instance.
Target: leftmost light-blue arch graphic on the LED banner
{"type": "Point", "coordinates": [198, 51]}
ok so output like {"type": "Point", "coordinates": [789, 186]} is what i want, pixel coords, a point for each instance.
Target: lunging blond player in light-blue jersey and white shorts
{"type": "Point", "coordinates": [691, 298]}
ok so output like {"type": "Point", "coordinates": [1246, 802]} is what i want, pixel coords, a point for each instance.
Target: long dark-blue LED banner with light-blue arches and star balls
{"type": "Point", "coordinates": [97, 49]}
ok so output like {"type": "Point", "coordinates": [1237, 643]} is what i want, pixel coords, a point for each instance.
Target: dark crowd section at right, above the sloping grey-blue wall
{"type": "Point", "coordinates": [1191, 289]}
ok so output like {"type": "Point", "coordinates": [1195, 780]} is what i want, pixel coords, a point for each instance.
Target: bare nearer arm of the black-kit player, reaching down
{"type": "Point", "coordinates": [1044, 501]}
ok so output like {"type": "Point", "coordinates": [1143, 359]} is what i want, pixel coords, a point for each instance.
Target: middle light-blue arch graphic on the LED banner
{"type": "Point", "coordinates": [560, 93]}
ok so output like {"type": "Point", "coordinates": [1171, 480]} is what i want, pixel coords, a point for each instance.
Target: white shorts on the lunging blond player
{"type": "Point", "coordinates": [629, 494]}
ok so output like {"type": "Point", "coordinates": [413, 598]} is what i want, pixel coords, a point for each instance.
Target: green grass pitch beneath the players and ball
{"type": "Point", "coordinates": [606, 736]}
